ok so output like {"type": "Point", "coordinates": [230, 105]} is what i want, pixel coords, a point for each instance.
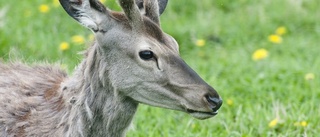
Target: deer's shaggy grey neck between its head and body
{"type": "Point", "coordinates": [96, 108]}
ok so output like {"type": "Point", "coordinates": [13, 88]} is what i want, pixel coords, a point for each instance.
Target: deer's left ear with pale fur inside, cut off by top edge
{"type": "Point", "coordinates": [89, 13]}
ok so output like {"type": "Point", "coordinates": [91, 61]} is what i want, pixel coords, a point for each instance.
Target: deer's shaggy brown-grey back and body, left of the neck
{"type": "Point", "coordinates": [24, 89]}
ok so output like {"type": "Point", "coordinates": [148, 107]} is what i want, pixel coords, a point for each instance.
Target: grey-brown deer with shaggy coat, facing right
{"type": "Point", "coordinates": [131, 62]}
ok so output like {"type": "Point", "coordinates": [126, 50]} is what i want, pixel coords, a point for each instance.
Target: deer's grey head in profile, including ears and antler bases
{"type": "Point", "coordinates": [142, 61]}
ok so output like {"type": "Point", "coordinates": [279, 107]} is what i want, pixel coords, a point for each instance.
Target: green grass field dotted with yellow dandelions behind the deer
{"type": "Point", "coordinates": [263, 57]}
